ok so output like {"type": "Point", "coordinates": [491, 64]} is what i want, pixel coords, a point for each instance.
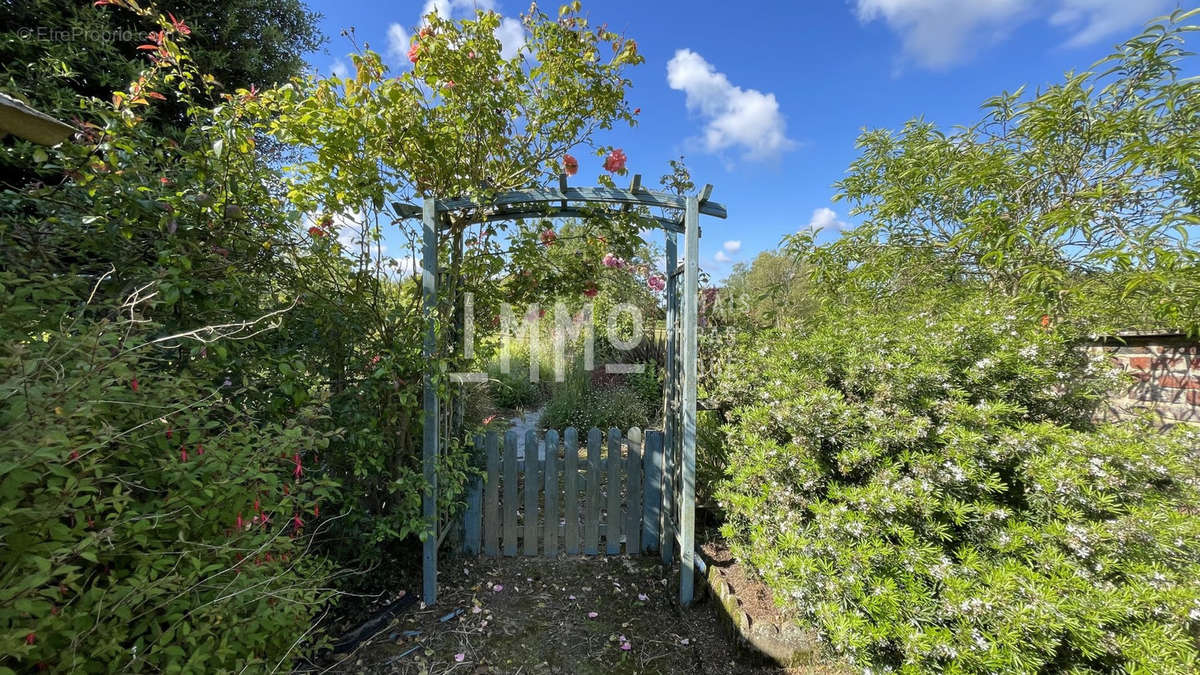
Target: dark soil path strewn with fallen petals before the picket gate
{"type": "Point", "coordinates": [571, 617]}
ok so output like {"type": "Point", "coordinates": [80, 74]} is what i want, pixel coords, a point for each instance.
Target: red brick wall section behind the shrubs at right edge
{"type": "Point", "coordinates": [1166, 368]}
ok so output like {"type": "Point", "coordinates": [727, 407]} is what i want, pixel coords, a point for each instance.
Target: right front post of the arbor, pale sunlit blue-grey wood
{"type": "Point", "coordinates": [688, 415]}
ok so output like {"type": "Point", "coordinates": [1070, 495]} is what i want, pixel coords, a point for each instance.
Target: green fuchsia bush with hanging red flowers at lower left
{"type": "Point", "coordinates": [151, 523]}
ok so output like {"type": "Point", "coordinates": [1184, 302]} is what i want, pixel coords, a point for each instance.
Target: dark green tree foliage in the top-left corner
{"type": "Point", "coordinates": [53, 53]}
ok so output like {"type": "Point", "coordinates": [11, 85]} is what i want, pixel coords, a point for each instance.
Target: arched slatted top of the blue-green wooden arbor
{"type": "Point", "coordinates": [571, 202]}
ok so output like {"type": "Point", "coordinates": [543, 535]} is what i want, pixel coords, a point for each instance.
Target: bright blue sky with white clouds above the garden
{"type": "Point", "coordinates": [767, 99]}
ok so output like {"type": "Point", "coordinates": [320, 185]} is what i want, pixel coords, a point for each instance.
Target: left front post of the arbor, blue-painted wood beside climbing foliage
{"type": "Point", "coordinates": [430, 431]}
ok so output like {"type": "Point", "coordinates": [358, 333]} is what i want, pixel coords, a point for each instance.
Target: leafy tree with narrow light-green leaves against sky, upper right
{"type": "Point", "coordinates": [1081, 199]}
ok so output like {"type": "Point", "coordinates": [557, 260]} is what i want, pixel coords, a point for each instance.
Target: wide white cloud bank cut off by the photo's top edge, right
{"type": "Point", "coordinates": [940, 34]}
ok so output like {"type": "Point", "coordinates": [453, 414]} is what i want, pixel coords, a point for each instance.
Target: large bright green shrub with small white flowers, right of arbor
{"type": "Point", "coordinates": [929, 493]}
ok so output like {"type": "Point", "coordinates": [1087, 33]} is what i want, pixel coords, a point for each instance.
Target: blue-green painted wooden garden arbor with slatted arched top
{"type": "Point", "coordinates": [682, 302]}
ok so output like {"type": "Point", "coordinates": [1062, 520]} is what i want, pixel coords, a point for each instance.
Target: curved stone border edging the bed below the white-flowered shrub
{"type": "Point", "coordinates": [787, 646]}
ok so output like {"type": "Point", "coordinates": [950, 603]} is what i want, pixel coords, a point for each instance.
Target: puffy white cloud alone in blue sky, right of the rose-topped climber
{"type": "Point", "coordinates": [737, 117]}
